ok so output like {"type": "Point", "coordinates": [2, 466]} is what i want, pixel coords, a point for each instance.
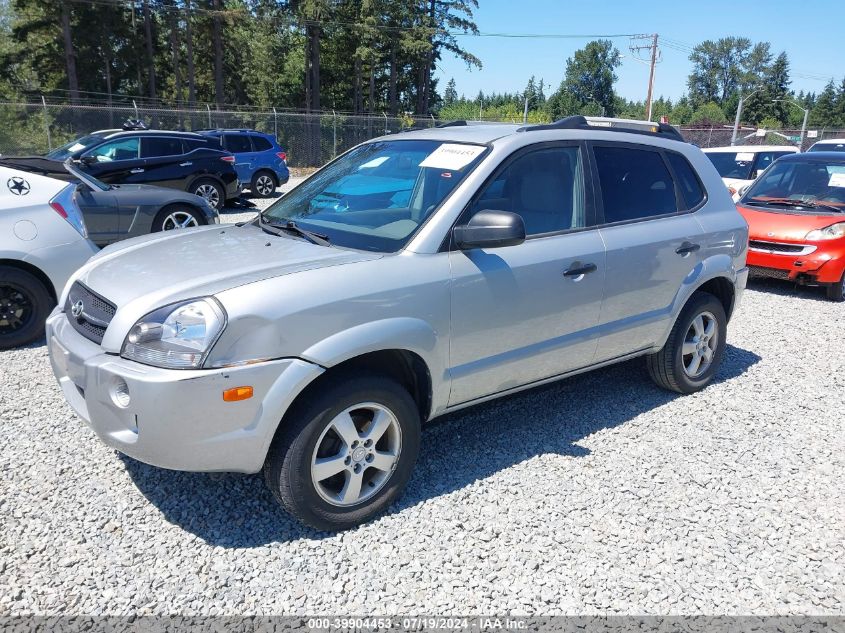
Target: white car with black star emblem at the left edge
{"type": "Point", "coordinates": [43, 241]}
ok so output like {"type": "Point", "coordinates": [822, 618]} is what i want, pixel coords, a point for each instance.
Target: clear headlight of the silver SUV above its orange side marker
{"type": "Point", "coordinates": [178, 336]}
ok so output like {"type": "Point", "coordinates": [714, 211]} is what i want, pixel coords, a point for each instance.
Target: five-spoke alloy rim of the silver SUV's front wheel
{"type": "Point", "coordinates": [356, 454]}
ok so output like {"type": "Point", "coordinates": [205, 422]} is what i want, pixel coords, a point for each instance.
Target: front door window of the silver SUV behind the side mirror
{"type": "Point", "coordinates": [545, 187]}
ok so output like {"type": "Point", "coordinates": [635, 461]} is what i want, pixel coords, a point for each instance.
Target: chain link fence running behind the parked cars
{"type": "Point", "coordinates": [310, 140]}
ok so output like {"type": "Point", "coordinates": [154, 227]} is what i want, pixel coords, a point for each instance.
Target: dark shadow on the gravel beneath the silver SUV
{"type": "Point", "coordinates": [238, 511]}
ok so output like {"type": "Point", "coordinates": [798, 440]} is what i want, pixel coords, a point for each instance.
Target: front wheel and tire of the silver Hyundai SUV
{"type": "Point", "coordinates": [345, 451]}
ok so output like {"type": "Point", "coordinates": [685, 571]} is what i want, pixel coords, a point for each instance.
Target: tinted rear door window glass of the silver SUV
{"type": "Point", "coordinates": [635, 183]}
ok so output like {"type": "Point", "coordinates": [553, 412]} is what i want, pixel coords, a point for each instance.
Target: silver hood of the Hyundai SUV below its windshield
{"type": "Point", "coordinates": [165, 267]}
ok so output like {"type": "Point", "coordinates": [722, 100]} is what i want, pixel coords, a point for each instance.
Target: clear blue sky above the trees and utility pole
{"type": "Point", "coordinates": [812, 39]}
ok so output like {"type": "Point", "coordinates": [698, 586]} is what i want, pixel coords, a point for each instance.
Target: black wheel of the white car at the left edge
{"type": "Point", "coordinates": [25, 304]}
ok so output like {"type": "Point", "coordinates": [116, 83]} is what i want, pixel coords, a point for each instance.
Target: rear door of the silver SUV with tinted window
{"type": "Point", "coordinates": [653, 241]}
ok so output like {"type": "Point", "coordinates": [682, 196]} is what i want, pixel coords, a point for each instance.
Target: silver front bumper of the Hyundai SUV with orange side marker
{"type": "Point", "coordinates": [175, 419]}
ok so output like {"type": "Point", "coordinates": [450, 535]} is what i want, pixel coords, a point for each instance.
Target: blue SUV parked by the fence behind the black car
{"type": "Point", "coordinates": [259, 160]}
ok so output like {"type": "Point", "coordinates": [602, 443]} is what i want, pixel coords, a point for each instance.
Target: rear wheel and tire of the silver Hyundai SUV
{"type": "Point", "coordinates": [694, 349]}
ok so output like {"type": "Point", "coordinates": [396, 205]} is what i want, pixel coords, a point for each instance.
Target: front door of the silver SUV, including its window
{"type": "Point", "coordinates": [528, 312]}
